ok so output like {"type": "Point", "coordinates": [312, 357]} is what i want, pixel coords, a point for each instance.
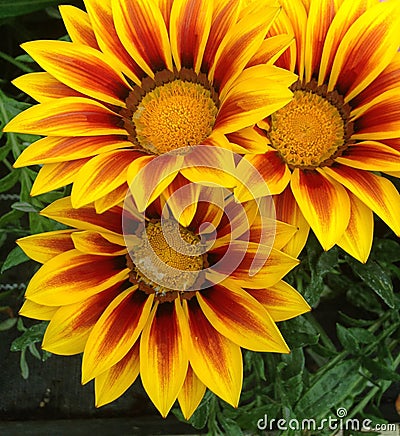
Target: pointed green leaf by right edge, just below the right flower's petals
{"type": "Point", "coordinates": [374, 276]}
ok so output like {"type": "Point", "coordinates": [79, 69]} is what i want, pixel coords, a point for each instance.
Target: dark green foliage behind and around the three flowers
{"type": "Point", "coordinates": [344, 354]}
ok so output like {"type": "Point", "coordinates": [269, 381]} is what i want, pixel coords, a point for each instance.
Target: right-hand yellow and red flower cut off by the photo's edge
{"type": "Point", "coordinates": [343, 125]}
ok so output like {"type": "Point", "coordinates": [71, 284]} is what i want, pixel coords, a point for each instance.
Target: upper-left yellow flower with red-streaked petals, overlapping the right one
{"type": "Point", "coordinates": [143, 78]}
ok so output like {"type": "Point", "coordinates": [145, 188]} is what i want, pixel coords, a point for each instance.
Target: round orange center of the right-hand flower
{"type": "Point", "coordinates": [309, 131]}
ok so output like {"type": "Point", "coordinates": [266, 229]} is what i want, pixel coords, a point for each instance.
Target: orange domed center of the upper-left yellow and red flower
{"type": "Point", "coordinates": [174, 115]}
